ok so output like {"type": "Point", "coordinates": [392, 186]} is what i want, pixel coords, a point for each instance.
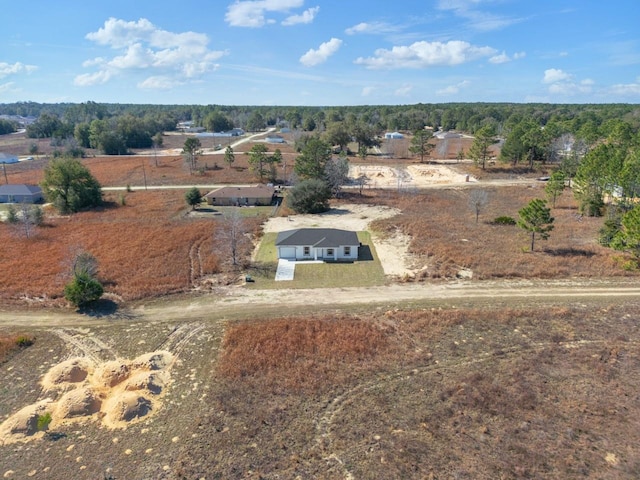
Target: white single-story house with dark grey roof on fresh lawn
{"type": "Point", "coordinates": [318, 244]}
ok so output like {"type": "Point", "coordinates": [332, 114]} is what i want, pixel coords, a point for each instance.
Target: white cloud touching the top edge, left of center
{"type": "Point", "coordinates": [253, 13]}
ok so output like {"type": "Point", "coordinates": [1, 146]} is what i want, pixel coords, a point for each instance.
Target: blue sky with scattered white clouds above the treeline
{"type": "Point", "coordinates": [320, 52]}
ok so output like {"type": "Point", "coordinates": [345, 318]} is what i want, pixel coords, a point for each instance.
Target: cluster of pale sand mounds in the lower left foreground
{"type": "Point", "coordinates": [116, 393]}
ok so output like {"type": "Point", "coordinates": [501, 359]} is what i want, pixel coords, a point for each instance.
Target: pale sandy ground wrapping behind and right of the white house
{"type": "Point", "coordinates": [392, 250]}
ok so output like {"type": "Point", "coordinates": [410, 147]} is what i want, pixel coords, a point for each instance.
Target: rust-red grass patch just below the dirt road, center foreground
{"type": "Point", "coordinates": [299, 353]}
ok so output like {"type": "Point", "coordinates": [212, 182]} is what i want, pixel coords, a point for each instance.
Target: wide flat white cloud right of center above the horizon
{"type": "Point", "coordinates": [426, 54]}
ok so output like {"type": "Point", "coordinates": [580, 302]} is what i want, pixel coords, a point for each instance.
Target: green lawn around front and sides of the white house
{"type": "Point", "coordinates": [367, 271]}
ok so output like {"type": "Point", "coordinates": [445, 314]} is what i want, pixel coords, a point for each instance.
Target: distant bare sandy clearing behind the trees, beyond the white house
{"type": "Point", "coordinates": [385, 176]}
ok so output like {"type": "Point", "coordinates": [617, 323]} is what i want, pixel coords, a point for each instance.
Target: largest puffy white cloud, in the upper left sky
{"type": "Point", "coordinates": [142, 46]}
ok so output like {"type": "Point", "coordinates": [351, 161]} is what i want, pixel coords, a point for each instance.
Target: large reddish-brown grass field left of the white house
{"type": "Point", "coordinates": [147, 247]}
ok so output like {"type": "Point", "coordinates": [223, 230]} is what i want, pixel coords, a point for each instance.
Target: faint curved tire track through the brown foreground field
{"type": "Point", "coordinates": [324, 432]}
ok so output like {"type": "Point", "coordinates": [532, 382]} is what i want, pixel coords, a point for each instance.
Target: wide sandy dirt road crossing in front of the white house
{"type": "Point", "coordinates": [239, 302]}
